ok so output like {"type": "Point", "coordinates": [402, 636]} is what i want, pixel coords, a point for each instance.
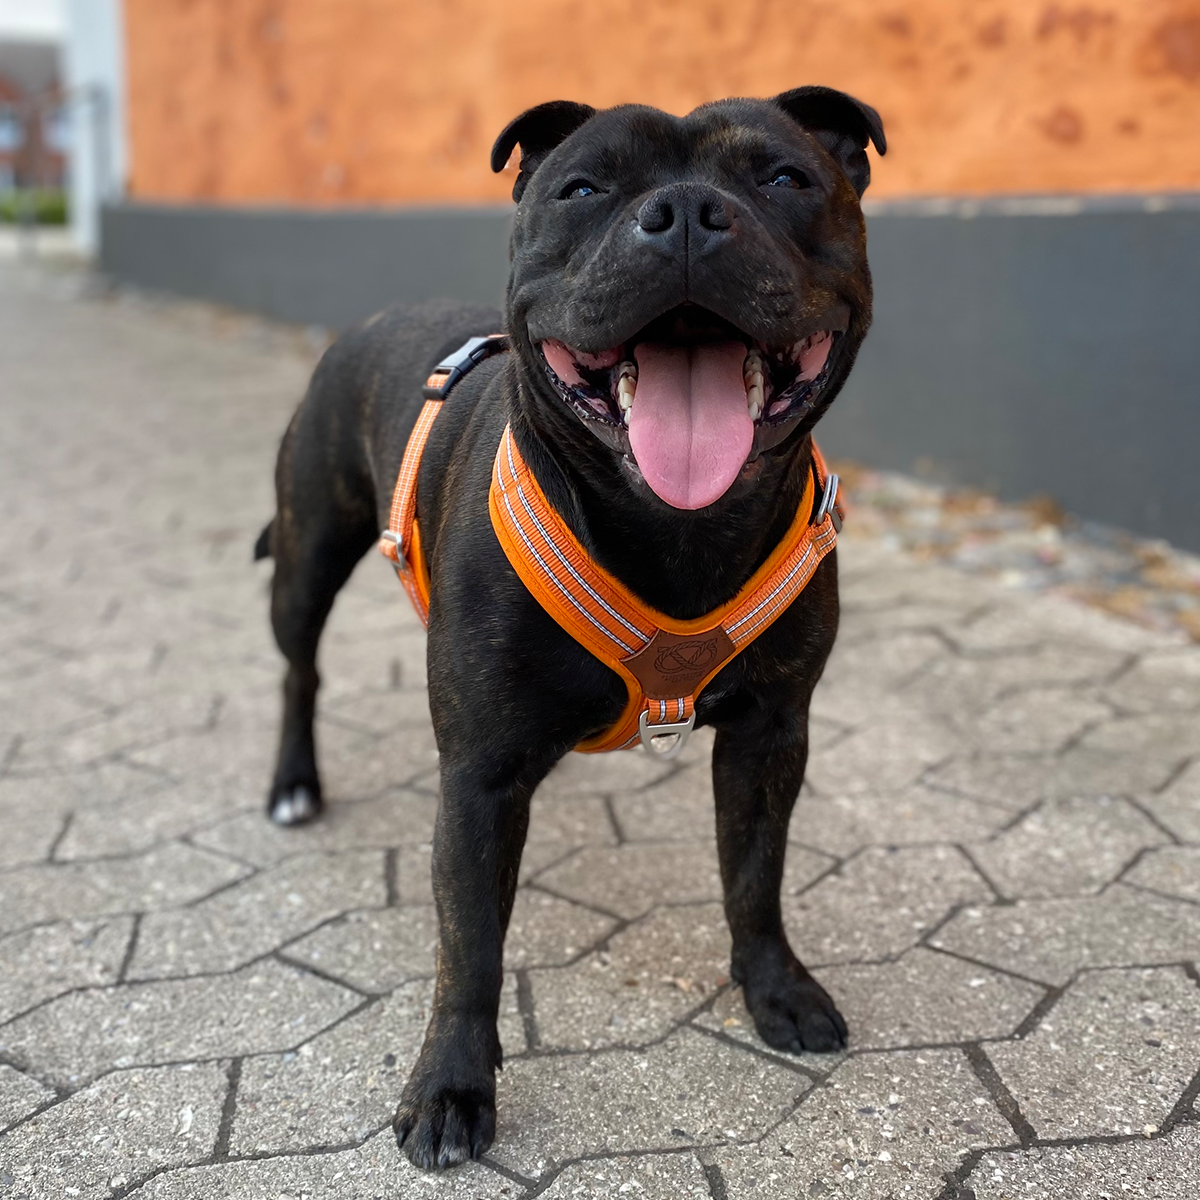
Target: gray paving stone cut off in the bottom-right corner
{"type": "Point", "coordinates": [1163, 1169]}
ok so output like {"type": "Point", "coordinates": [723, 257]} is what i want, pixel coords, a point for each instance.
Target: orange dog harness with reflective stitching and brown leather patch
{"type": "Point", "coordinates": [664, 663]}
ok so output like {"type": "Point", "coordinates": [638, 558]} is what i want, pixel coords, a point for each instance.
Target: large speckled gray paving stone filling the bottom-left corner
{"type": "Point", "coordinates": [118, 1131]}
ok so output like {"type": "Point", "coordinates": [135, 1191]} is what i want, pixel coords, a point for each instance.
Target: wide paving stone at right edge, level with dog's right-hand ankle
{"type": "Point", "coordinates": [1051, 940]}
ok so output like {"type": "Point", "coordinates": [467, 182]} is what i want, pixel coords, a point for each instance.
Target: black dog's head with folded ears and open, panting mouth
{"type": "Point", "coordinates": [694, 290]}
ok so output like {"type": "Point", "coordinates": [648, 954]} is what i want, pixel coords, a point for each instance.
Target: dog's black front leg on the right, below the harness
{"type": "Point", "coordinates": [758, 771]}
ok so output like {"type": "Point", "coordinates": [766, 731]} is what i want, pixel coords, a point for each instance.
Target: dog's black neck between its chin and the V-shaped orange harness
{"type": "Point", "coordinates": [685, 565]}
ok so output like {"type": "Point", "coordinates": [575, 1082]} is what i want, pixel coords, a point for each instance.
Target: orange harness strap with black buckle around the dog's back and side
{"type": "Point", "coordinates": [401, 542]}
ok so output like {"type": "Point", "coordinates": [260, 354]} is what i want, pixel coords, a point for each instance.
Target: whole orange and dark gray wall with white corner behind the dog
{"type": "Point", "coordinates": [1035, 229]}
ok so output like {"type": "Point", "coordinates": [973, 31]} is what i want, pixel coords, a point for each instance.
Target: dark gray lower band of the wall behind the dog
{"type": "Point", "coordinates": [1027, 346]}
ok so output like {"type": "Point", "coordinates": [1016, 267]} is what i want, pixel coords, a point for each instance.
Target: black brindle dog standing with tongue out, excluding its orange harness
{"type": "Point", "coordinates": [639, 237]}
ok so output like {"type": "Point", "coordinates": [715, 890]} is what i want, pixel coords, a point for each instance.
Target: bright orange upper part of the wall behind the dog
{"type": "Point", "coordinates": [391, 101]}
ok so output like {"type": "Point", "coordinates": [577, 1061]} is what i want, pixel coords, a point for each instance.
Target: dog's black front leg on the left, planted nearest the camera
{"type": "Point", "coordinates": [448, 1109]}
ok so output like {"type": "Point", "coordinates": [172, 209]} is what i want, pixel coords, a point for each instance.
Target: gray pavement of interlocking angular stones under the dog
{"type": "Point", "coordinates": [995, 863]}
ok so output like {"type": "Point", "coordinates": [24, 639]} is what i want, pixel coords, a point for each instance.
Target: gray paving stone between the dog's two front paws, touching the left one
{"type": "Point", "coordinates": [689, 1090]}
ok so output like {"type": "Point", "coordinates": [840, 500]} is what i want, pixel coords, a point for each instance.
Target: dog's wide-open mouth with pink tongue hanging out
{"type": "Point", "coordinates": [692, 400]}
